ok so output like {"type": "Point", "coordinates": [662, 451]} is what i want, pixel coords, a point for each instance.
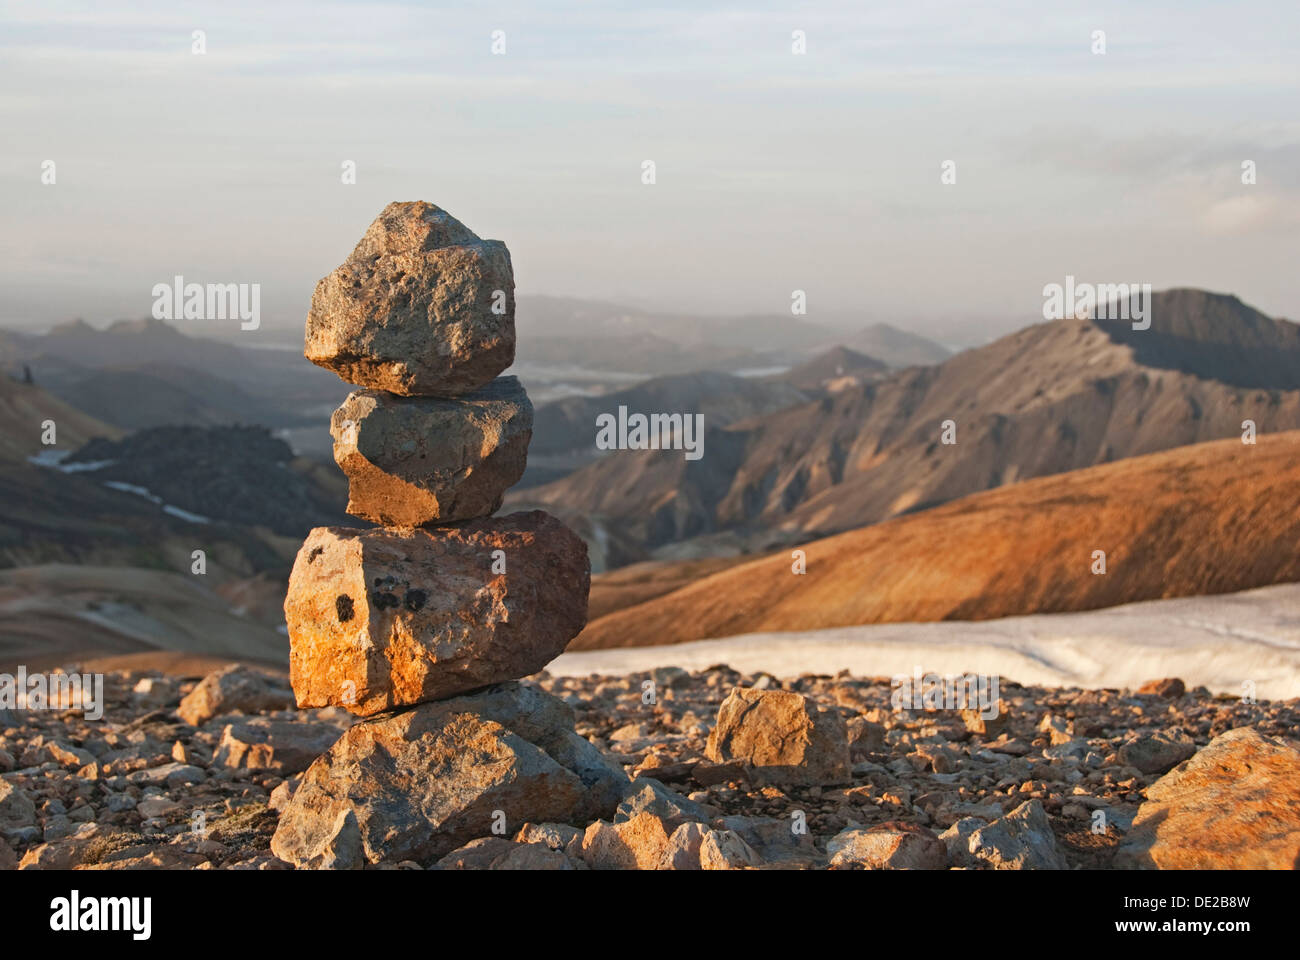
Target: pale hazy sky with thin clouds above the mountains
{"type": "Point", "coordinates": [774, 171]}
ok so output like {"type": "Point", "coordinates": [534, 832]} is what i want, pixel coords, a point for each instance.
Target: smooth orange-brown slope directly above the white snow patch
{"type": "Point", "coordinates": [1210, 518]}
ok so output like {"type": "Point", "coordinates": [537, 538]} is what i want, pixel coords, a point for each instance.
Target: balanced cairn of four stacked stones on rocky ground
{"type": "Point", "coordinates": [423, 625]}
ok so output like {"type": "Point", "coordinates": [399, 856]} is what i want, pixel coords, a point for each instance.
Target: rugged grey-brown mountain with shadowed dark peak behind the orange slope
{"type": "Point", "coordinates": [1051, 399]}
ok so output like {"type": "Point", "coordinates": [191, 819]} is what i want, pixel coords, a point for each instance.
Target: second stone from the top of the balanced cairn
{"type": "Point", "coordinates": [413, 461]}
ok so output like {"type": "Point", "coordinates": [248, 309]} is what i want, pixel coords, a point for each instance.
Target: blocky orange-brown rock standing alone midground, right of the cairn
{"type": "Point", "coordinates": [786, 737]}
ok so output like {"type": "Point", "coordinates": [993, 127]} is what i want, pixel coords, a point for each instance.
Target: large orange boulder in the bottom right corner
{"type": "Point", "coordinates": [1234, 806]}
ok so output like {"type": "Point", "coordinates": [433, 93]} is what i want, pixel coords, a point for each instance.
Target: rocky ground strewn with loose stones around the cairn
{"type": "Point", "coordinates": [193, 776]}
